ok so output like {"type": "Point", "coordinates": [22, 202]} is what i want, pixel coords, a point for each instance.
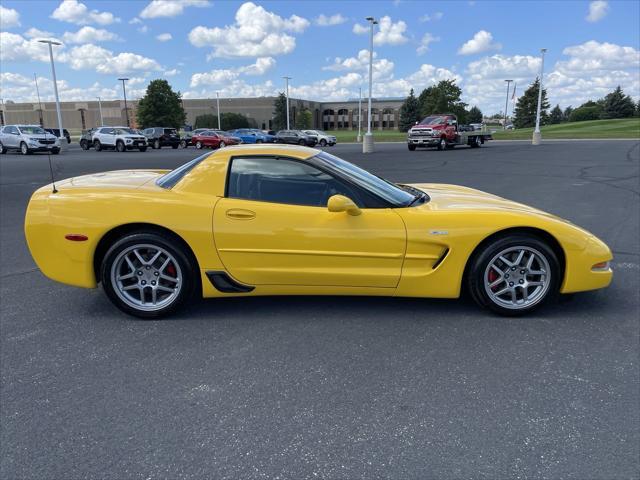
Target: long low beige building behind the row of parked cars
{"type": "Point", "coordinates": [259, 111]}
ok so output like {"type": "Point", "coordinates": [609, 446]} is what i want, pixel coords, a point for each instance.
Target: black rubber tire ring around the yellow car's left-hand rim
{"type": "Point", "coordinates": [187, 266]}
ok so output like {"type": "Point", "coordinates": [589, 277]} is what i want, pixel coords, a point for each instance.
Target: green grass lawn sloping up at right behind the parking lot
{"type": "Point", "coordinates": [618, 128]}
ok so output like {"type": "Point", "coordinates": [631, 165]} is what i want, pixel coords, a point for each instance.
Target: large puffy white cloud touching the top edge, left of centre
{"type": "Point", "coordinates": [255, 33]}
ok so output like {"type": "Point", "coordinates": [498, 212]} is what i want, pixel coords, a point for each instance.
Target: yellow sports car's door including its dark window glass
{"type": "Point", "coordinates": [273, 227]}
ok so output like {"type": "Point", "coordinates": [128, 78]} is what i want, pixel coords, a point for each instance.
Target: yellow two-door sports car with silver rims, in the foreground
{"type": "Point", "coordinates": [278, 220]}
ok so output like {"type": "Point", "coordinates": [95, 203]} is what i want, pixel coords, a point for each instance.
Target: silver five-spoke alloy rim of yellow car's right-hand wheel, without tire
{"type": "Point", "coordinates": [517, 277]}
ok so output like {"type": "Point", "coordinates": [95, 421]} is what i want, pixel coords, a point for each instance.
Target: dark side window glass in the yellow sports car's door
{"type": "Point", "coordinates": [284, 181]}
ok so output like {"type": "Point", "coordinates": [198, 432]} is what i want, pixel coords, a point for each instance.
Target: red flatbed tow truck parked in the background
{"type": "Point", "coordinates": [443, 131]}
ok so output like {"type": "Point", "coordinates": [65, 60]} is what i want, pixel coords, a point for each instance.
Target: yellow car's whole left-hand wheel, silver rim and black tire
{"type": "Point", "coordinates": [148, 275]}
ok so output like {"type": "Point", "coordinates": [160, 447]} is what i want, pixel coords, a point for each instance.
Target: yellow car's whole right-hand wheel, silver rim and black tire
{"type": "Point", "coordinates": [514, 275]}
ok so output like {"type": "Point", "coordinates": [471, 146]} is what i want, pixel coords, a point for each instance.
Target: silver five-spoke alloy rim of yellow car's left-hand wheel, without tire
{"type": "Point", "coordinates": [146, 277]}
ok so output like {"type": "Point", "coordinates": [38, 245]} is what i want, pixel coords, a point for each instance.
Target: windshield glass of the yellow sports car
{"type": "Point", "coordinates": [370, 182]}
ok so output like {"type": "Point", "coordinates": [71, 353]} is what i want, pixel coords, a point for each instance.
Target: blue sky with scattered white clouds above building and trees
{"type": "Point", "coordinates": [245, 48]}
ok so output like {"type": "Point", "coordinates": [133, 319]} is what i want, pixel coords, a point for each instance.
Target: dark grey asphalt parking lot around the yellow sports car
{"type": "Point", "coordinates": [332, 387]}
